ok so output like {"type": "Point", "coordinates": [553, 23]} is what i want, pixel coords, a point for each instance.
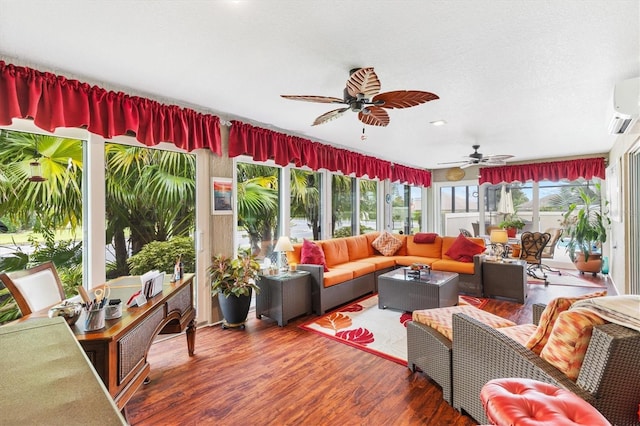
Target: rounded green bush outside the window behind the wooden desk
{"type": "Point", "coordinates": [161, 255]}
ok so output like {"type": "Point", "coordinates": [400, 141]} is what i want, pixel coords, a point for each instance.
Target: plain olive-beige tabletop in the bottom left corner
{"type": "Point", "coordinates": [44, 371]}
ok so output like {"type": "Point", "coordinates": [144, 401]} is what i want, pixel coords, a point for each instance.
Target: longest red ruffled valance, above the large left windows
{"type": "Point", "coordinates": [53, 101]}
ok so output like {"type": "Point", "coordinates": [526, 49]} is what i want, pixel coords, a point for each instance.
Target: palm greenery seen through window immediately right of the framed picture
{"type": "Point", "coordinates": [258, 207]}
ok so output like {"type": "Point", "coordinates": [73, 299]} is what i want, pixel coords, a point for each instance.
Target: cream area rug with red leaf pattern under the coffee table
{"type": "Point", "coordinates": [362, 325]}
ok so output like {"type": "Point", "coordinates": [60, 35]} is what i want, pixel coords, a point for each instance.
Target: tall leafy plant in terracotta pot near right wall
{"type": "Point", "coordinates": [585, 227]}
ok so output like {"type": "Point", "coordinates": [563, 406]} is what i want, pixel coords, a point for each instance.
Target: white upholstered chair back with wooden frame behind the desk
{"type": "Point", "coordinates": [34, 288]}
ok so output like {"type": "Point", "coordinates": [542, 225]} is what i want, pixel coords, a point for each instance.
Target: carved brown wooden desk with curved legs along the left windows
{"type": "Point", "coordinates": [119, 351]}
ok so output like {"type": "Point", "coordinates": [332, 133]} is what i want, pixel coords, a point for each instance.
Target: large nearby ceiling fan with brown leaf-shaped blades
{"type": "Point", "coordinates": [362, 95]}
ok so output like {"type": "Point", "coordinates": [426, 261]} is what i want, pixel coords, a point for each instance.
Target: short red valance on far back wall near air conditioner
{"type": "Point", "coordinates": [554, 171]}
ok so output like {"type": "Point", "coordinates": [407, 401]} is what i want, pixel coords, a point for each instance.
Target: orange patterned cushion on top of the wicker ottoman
{"type": "Point", "coordinates": [441, 319]}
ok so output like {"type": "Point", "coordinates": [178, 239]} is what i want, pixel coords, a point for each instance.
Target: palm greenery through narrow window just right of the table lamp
{"type": "Point", "coordinates": [305, 206]}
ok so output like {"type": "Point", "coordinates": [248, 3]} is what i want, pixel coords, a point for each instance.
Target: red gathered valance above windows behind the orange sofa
{"type": "Point", "coordinates": [262, 144]}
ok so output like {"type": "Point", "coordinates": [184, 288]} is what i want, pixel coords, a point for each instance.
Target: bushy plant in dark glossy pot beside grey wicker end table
{"type": "Point", "coordinates": [233, 280]}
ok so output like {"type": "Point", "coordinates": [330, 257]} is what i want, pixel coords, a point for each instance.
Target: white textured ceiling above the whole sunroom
{"type": "Point", "coordinates": [529, 78]}
